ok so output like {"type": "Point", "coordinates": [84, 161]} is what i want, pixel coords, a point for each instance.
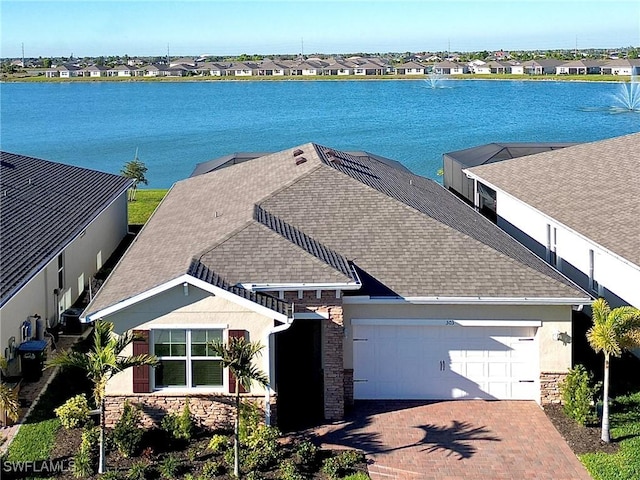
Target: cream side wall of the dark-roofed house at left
{"type": "Point", "coordinates": [100, 239]}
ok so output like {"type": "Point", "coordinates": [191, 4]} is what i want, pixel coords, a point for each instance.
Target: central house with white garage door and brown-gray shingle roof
{"type": "Point", "coordinates": [373, 282]}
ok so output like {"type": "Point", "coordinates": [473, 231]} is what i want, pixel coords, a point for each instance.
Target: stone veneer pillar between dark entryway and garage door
{"type": "Point", "coordinates": [332, 345]}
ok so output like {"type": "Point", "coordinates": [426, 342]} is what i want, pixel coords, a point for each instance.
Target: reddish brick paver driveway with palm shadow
{"type": "Point", "coordinates": [471, 439]}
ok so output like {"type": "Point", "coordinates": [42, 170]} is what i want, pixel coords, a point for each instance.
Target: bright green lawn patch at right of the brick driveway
{"type": "Point", "coordinates": [625, 429]}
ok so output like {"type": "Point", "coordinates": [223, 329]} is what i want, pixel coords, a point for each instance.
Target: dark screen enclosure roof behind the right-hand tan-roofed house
{"type": "Point", "coordinates": [496, 152]}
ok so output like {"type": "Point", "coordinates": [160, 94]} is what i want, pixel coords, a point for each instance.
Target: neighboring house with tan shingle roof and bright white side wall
{"type": "Point", "coordinates": [588, 231]}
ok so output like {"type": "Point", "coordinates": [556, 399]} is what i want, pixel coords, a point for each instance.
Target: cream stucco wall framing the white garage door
{"type": "Point", "coordinates": [555, 356]}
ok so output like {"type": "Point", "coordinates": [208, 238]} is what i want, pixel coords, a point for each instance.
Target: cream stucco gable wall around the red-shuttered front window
{"type": "Point", "coordinates": [198, 309]}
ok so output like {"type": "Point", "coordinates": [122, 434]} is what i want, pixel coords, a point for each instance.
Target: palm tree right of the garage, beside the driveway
{"type": "Point", "coordinates": [612, 332]}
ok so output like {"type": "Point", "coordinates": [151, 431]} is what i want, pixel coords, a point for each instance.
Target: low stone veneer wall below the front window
{"type": "Point", "coordinates": [209, 411]}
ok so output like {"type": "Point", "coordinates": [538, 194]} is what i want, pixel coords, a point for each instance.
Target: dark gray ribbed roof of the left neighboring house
{"type": "Point", "coordinates": [44, 205]}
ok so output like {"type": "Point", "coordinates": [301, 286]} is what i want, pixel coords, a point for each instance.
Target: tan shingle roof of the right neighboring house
{"type": "Point", "coordinates": [592, 188]}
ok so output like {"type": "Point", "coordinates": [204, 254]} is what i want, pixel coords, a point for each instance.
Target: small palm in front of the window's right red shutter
{"type": "Point", "coordinates": [238, 355]}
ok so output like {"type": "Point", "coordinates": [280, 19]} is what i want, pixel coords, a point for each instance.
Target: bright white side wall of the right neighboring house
{"type": "Point", "coordinates": [611, 271]}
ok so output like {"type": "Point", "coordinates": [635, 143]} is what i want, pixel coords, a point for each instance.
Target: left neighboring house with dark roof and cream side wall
{"type": "Point", "coordinates": [59, 224]}
